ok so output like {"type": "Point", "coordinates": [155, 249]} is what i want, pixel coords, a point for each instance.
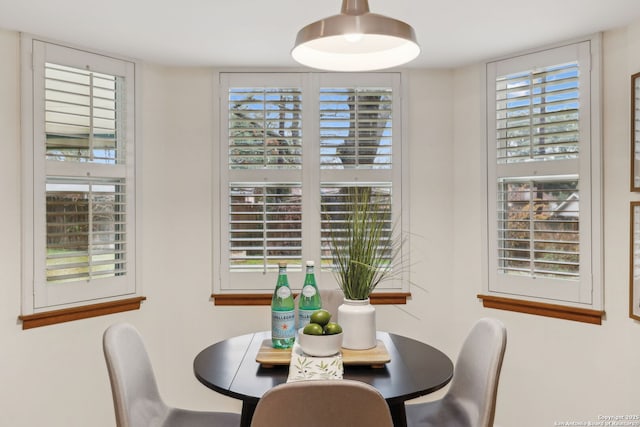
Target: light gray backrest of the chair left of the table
{"type": "Point", "coordinates": [135, 393]}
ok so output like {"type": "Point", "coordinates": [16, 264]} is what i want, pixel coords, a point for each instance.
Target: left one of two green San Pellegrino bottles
{"type": "Point", "coordinates": [283, 318]}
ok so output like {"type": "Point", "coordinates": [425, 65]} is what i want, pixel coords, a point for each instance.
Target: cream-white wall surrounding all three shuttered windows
{"type": "Point", "coordinates": [554, 370]}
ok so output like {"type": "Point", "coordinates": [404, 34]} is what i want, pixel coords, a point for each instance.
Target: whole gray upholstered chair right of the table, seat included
{"type": "Point", "coordinates": [471, 398]}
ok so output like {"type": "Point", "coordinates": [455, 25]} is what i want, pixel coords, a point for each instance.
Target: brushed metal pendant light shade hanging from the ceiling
{"type": "Point", "coordinates": [355, 40]}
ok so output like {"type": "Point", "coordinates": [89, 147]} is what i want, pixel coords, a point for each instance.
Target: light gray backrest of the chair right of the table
{"type": "Point", "coordinates": [474, 386]}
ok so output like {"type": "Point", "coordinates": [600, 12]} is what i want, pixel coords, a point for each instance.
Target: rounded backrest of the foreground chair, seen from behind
{"type": "Point", "coordinates": [322, 403]}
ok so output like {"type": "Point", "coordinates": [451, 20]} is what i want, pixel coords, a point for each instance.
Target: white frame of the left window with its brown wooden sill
{"type": "Point", "coordinates": [42, 304]}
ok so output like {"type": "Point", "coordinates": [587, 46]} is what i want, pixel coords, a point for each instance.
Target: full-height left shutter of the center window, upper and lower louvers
{"type": "Point", "coordinates": [263, 215]}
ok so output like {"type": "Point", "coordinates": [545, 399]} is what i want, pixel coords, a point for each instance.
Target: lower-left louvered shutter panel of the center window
{"type": "Point", "coordinates": [265, 225]}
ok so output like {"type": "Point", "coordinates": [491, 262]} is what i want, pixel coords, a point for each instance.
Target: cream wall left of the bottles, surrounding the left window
{"type": "Point", "coordinates": [56, 375]}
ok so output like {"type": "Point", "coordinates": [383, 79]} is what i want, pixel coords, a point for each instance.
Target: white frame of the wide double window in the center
{"type": "Point", "coordinates": [311, 177]}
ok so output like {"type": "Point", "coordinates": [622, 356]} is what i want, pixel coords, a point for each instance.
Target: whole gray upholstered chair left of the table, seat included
{"type": "Point", "coordinates": [135, 393]}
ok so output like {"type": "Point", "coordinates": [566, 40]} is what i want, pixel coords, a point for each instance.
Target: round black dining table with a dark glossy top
{"type": "Point", "coordinates": [414, 369]}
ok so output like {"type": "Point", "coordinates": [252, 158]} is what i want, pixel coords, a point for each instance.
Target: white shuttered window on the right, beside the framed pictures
{"type": "Point", "coordinates": [543, 174]}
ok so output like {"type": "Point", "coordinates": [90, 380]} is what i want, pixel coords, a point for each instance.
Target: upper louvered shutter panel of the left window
{"type": "Point", "coordinates": [81, 115]}
